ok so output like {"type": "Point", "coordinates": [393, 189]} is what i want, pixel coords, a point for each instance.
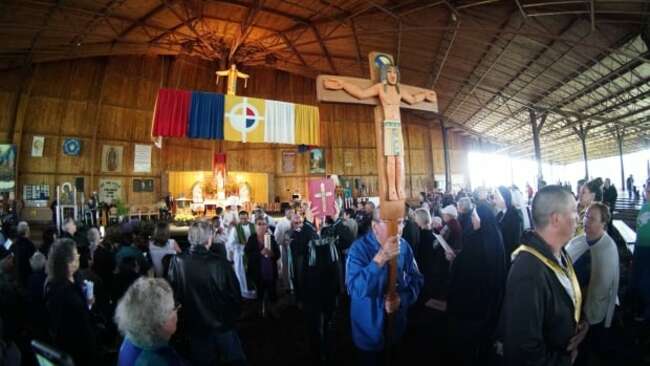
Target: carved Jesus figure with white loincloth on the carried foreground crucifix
{"type": "Point", "coordinates": [390, 96]}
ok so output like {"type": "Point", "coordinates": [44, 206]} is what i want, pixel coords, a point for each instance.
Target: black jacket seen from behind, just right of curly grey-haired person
{"type": "Point", "coordinates": [206, 285]}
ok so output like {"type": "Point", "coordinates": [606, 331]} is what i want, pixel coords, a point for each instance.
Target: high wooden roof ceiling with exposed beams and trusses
{"type": "Point", "coordinates": [581, 64]}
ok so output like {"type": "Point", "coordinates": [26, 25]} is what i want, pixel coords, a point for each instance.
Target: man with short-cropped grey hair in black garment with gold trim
{"type": "Point", "coordinates": [542, 307]}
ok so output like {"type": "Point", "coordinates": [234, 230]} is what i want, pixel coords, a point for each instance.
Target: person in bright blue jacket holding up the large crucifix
{"type": "Point", "coordinates": [366, 280]}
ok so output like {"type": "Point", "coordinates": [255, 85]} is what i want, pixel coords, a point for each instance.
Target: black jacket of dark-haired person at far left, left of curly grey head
{"type": "Point", "coordinates": [71, 325]}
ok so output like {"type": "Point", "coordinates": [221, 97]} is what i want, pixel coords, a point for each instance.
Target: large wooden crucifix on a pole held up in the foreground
{"type": "Point", "coordinates": [383, 91]}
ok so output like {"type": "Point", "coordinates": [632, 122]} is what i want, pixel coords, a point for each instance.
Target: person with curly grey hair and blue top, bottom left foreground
{"type": "Point", "coordinates": [146, 316]}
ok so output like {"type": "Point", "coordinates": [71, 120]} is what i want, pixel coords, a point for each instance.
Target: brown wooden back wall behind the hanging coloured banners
{"type": "Point", "coordinates": [109, 101]}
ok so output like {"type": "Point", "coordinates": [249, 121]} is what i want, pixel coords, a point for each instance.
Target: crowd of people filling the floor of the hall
{"type": "Point", "coordinates": [494, 279]}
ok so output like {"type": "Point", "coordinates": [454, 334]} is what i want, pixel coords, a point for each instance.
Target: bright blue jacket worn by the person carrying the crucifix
{"type": "Point", "coordinates": [366, 284]}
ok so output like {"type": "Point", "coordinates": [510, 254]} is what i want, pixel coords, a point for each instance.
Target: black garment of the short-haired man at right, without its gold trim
{"type": "Point", "coordinates": [537, 313]}
